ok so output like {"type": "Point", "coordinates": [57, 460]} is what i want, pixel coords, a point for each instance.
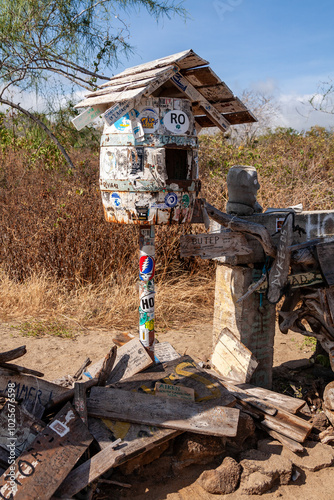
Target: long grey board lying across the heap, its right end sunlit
{"type": "Point", "coordinates": [212, 418]}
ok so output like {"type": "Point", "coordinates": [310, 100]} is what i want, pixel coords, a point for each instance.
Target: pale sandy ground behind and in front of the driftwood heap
{"type": "Point", "coordinates": [57, 356]}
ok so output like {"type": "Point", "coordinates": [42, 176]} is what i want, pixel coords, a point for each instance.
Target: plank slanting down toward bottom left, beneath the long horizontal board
{"type": "Point", "coordinates": [130, 447]}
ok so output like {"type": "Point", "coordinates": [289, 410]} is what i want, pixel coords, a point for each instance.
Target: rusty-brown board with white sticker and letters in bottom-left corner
{"type": "Point", "coordinates": [44, 465]}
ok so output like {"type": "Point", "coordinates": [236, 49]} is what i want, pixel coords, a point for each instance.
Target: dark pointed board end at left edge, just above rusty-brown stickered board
{"type": "Point", "coordinates": [18, 427]}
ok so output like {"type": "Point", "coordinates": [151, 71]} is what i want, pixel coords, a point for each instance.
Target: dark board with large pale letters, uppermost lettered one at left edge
{"type": "Point", "coordinates": [29, 387]}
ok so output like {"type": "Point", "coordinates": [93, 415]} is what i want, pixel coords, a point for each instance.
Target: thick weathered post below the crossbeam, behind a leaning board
{"type": "Point", "coordinates": [252, 321]}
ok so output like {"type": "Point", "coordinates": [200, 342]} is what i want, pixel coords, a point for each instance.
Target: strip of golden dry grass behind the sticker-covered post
{"type": "Point", "coordinates": [108, 304]}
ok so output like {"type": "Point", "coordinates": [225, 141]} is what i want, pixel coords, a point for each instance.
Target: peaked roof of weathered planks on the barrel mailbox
{"type": "Point", "coordinates": [183, 75]}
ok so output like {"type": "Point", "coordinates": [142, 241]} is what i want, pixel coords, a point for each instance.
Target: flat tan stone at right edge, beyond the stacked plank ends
{"type": "Point", "coordinates": [316, 456]}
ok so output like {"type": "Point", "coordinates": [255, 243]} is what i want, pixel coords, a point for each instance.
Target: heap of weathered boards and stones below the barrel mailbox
{"type": "Point", "coordinates": [59, 437]}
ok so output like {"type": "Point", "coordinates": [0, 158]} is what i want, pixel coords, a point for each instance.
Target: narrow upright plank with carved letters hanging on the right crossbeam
{"type": "Point", "coordinates": [278, 274]}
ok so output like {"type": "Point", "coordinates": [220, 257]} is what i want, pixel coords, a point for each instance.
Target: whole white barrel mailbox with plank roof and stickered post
{"type": "Point", "coordinates": [149, 150]}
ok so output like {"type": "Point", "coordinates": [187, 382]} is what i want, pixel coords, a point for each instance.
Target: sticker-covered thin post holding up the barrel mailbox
{"type": "Point", "coordinates": [146, 287]}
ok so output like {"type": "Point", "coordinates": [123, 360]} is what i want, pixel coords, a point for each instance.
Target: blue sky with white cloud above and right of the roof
{"type": "Point", "coordinates": [282, 48]}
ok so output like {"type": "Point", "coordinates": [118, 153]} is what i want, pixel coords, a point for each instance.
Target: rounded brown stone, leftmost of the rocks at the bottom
{"type": "Point", "coordinates": [223, 480]}
